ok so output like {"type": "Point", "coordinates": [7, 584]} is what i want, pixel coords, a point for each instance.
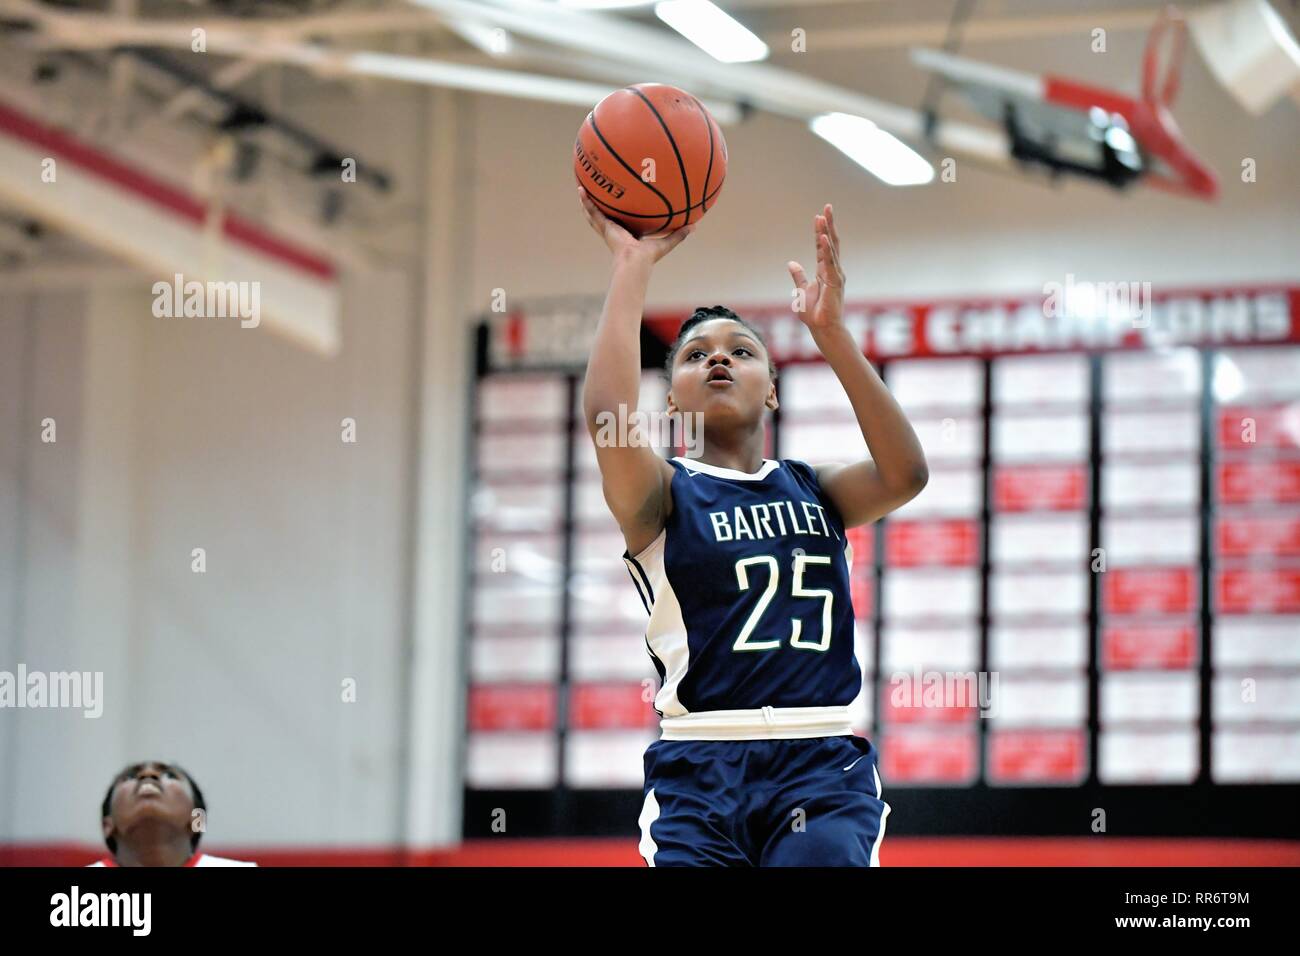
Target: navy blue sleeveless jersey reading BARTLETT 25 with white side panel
{"type": "Point", "coordinates": [748, 591]}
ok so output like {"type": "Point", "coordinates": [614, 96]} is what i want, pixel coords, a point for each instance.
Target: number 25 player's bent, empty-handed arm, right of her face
{"type": "Point", "coordinates": [896, 473]}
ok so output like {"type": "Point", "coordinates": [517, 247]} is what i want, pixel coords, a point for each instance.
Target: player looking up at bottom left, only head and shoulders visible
{"type": "Point", "coordinates": [149, 819]}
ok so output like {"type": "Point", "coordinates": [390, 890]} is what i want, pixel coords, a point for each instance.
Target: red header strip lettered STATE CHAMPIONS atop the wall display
{"type": "Point", "coordinates": [1064, 318]}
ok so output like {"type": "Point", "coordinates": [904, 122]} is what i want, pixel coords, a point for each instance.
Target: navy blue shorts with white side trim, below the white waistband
{"type": "Point", "coordinates": [812, 802]}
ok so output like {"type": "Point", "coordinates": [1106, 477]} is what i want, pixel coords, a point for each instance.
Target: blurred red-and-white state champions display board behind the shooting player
{"type": "Point", "coordinates": [1104, 570]}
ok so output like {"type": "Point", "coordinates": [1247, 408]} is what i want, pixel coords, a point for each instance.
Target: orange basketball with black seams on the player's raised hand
{"type": "Point", "coordinates": [652, 158]}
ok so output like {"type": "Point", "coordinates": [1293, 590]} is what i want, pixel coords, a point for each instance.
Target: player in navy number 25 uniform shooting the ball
{"type": "Point", "coordinates": [744, 566]}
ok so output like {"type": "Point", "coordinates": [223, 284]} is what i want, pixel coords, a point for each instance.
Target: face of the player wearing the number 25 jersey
{"type": "Point", "coordinates": [722, 371]}
